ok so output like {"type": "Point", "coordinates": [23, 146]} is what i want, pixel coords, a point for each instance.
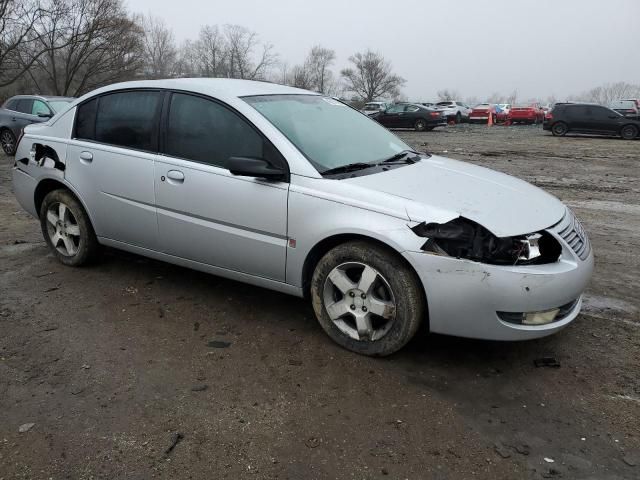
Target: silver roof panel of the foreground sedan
{"type": "Point", "coordinates": [215, 87]}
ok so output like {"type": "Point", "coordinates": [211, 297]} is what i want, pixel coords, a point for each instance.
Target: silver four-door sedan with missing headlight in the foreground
{"type": "Point", "coordinates": [297, 192]}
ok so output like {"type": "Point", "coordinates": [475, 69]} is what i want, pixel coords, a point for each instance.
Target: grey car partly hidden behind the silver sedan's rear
{"type": "Point", "coordinates": [22, 110]}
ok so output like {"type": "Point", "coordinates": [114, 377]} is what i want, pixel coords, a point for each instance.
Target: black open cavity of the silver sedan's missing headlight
{"type": "Point", "coordinates": [464, 238]}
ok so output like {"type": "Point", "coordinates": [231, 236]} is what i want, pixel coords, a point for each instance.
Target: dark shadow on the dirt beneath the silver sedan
{"type": "Point", "coordinates": [297, 313]}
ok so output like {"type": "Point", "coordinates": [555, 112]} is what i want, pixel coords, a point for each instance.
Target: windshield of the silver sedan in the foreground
{"type": "Point", "coordinates": [329, 133]}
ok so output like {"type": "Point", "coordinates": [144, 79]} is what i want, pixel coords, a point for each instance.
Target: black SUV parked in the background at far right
{"type": "Point", "coordinates": [589, 118]}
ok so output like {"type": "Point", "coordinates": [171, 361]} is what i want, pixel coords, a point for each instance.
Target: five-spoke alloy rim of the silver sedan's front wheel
{"type": "Point", "coordinates": [359, 301]}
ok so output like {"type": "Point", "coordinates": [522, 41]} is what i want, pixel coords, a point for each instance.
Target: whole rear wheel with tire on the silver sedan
{"type": "Point", "coordinates": [67, 229]}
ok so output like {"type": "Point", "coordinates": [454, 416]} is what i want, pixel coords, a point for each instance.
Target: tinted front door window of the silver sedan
{"type": "Point", "coordinates": [205, 131]}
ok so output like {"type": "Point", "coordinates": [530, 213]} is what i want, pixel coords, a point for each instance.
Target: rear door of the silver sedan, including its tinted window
{"type": "Point", "coordinates": [110, 163]}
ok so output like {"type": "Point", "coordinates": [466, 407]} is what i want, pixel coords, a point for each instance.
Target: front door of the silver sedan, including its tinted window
{"type": "Point", "coordinates": [205, 213]}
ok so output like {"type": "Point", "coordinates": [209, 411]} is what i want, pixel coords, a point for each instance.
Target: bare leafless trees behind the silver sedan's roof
{"type": "Point", "coordinates": [69, 47]}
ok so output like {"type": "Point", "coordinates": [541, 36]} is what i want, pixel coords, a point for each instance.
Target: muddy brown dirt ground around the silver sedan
{"type": "Point", "coordinates": [111, 362]}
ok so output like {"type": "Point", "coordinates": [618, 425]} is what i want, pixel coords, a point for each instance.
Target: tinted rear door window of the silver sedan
{"type": "Point", "coordinates": [129, 119]}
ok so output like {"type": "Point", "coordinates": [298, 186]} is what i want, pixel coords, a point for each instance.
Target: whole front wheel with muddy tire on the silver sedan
{"type": "Point", "coordinates": [367, 299]}
